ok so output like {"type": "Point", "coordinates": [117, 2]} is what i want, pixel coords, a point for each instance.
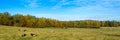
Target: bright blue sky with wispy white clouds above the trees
{"type": "Point", "coordinates": [64, 9]}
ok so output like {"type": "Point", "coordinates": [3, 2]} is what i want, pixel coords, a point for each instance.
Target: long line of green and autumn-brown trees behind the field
{"type": "Point", "coordinates": [35, 22]}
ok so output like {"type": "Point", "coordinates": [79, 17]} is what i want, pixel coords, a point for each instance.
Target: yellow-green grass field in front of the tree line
{"type": "Point", "coordinates": [12, 33]}
